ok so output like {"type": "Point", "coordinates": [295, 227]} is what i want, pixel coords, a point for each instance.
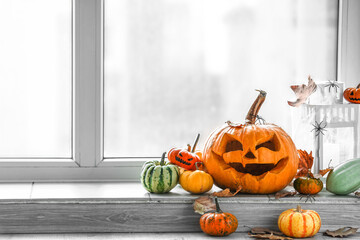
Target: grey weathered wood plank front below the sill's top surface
{"type": "Point", "coordinates": [152, 216]}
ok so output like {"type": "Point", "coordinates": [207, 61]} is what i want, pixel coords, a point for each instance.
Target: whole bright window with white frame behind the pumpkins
{"type": "Point", "coordinates": [109, 83]}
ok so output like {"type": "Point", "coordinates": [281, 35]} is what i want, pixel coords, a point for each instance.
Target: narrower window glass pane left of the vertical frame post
{"type": "Point", "coordinates": [35, 78]}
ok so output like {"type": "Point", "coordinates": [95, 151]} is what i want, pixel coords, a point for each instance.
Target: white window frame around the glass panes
{"type": "Point", "coordinates": [87, 162]}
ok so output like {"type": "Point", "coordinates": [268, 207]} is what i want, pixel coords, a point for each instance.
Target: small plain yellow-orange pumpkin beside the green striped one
{"type": "Point", "coordinates": [196, 182]}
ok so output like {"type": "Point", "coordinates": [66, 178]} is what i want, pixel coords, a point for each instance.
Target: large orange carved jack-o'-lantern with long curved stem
{"type": "Point", "coordinates": [259, 158]}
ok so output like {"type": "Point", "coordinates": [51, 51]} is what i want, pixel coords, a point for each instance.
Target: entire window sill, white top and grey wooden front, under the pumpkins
{"type": "Point", "coordinates": [127, 207]}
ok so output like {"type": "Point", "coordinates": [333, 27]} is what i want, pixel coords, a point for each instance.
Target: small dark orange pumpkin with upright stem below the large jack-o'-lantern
{"type": "Point", "coordinates": [218, 223]}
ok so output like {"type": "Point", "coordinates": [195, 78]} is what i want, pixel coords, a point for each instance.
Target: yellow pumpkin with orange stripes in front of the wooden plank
{"type": "Point", "coordinates": [299, 223]}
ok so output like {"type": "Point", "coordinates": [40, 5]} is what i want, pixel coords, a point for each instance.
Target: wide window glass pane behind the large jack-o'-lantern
{"type": "Point", "coordinates": [175, 68]}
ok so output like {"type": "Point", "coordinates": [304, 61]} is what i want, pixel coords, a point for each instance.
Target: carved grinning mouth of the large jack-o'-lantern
{"type": "Point", "coordinates": [257, 169]}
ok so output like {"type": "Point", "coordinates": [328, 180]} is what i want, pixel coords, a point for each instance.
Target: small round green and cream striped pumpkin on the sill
{"type": "Point", "coordinates": [159, 177]}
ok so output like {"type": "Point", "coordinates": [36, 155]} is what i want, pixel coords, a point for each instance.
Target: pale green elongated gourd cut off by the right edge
{"type": "Point", "coordinates": [344, 178]}
